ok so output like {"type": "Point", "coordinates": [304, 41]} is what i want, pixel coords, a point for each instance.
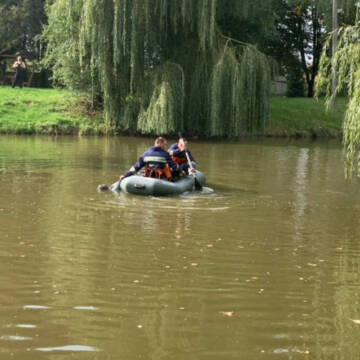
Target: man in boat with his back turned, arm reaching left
{"type": "Point", "coordinates": [156, 161]}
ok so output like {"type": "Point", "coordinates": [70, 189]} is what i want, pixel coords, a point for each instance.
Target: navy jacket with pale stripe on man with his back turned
{"type": "Point", "coordinates": [156, 158]}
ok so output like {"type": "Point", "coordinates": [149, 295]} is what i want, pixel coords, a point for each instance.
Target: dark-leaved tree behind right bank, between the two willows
{"type": "Point", "coordinates": [303, 26]}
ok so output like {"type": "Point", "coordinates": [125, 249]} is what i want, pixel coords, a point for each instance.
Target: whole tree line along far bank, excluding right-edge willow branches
{"type": "Point", "coordinates": [161, 66]}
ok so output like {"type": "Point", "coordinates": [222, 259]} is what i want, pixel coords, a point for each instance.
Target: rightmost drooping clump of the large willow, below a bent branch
{"type": "Point", "coordinates": [239, 91]}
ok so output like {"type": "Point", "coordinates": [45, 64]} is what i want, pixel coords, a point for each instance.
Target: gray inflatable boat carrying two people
{"type": "Point", "coordinates": [141, 185]}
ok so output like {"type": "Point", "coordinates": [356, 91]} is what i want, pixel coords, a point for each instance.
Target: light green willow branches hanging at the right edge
{"type": "Point", "coordinates": [346, 63]}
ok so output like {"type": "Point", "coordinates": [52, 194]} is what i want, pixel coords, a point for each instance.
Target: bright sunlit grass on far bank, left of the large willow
{"type": "Point", "coordinates": [42, 111]}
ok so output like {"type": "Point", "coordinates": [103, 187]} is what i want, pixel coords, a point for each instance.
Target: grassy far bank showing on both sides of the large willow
{"type": "Point", "coordinates": [48, 111]}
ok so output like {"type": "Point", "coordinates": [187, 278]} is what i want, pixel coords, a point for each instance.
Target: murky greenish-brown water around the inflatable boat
{"type": "Point", "coordinates": [265, 266]}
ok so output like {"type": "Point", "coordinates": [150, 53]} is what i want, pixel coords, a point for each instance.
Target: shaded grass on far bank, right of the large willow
{"type": "Point", "coordinates": [304, 117]}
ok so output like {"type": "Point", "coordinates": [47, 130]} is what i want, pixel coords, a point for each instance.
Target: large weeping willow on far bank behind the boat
{"type": "Point", "coordinates": [161, 66]}
